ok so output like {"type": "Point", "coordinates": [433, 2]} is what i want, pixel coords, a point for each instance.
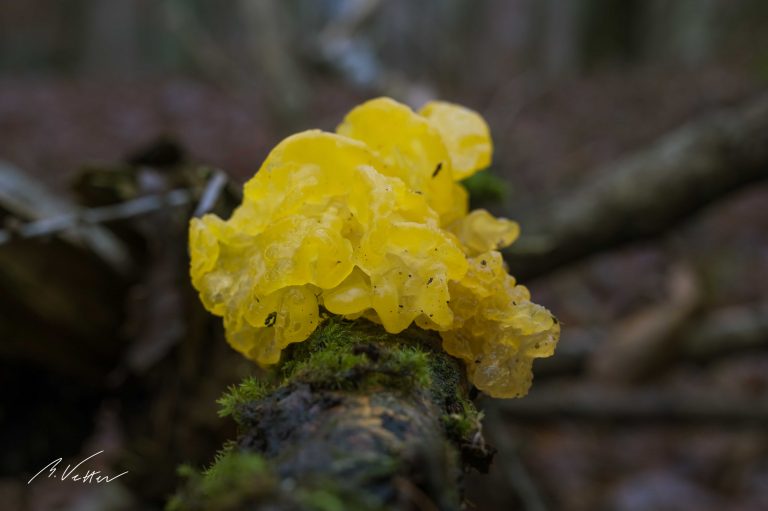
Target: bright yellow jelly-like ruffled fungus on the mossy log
{"type": "Point", "coordinates": [356, 221]}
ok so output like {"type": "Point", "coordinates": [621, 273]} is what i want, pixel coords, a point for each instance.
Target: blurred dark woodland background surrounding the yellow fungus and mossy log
{"type": "Point", "coordinates": [658, 395]}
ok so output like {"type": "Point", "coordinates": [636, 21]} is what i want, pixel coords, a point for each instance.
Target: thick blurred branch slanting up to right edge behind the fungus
{"type": "Point", "coordinates": [648, 192]}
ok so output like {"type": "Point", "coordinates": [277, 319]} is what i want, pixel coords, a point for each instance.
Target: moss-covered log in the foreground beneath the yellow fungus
{"type": "Point", "coordinates": [353, 418]}
